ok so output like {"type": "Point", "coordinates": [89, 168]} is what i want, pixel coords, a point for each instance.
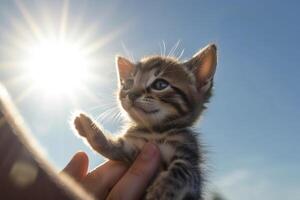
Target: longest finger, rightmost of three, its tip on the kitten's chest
{"type": "Point", "coordinates": [135, 181]}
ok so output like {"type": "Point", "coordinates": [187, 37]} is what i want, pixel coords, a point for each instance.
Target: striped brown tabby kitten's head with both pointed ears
{"type": "Point", "coordinates": [161, 92]}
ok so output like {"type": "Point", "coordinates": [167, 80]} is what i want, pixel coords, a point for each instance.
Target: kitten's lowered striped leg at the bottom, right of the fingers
{"type": "Point", "coordinates": [182, 180]}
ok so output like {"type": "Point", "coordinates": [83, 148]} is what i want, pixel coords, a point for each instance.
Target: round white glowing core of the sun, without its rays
{"type": "Point", "coordinates": [56, 67]}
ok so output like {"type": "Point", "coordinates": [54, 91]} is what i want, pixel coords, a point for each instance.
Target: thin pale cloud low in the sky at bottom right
{"type": "Point", "coordinates": [249, 184]}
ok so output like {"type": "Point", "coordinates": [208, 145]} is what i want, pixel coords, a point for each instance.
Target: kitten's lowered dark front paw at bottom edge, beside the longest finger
{"type": "Point", "coordinates": [161, 189]}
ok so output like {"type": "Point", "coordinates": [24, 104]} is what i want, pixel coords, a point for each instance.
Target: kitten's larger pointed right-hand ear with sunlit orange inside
{"type": "Point", "coordinates": [203, 64]}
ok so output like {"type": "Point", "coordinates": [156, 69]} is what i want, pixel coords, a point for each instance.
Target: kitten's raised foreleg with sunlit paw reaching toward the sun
{"type": "Point", "coordinates": [118, 149]}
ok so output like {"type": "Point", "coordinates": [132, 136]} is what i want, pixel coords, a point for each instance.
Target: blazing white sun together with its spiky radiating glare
{"type": "Point", "coordinates": [55, 55]}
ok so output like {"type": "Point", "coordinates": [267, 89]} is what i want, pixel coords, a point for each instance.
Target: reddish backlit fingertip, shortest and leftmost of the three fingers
{"type": "Point", "coordinates": [78, 166]}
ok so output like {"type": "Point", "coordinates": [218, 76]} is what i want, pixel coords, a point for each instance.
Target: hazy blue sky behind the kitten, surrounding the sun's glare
{"type": "Point", "coordinates": [251, 128]}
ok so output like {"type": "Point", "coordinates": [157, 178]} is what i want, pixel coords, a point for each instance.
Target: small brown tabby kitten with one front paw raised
{"type": "Point", "coordinates": [163, 98]}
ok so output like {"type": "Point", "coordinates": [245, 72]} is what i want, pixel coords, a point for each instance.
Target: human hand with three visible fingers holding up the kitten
{"type": "Point", "coordinates": [113, 180]}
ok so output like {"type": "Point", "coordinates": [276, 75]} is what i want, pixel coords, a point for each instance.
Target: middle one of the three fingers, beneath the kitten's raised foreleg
{"type": "Point", "coordinates": [100, 181]}
